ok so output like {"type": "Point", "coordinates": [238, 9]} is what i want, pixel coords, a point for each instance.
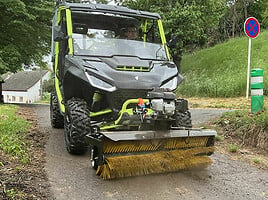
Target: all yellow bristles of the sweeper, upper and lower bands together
{"type": "Point", "coordinates": [136, 158]}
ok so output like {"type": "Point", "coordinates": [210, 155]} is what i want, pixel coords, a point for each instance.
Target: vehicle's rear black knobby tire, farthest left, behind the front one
{"type": "Point", "coordinates": [56, 118]}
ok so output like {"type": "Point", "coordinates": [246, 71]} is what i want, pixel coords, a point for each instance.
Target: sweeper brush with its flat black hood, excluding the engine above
{"type": "Point", "coordinates": [134, 153]}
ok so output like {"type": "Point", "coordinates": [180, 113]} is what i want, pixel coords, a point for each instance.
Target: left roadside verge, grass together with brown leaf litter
{"type": "Point", "coordinates": [22, 156]}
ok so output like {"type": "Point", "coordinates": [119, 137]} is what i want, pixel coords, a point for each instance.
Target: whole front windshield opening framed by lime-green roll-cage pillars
{"type": "Point", "coordinates": [100, 34]}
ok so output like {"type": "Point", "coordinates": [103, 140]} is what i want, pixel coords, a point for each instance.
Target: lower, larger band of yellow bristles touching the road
{"type": "Point", "coordinates": [155, 163]}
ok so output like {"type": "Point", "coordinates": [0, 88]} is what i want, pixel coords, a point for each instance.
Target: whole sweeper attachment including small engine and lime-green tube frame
{"type": "Point", "coordinates": [158, 144]}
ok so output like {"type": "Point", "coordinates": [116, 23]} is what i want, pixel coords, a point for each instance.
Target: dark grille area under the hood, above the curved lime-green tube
{"type": "Point", "coordinates": [116, 99]}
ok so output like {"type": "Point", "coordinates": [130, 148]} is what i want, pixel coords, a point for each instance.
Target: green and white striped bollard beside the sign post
{"type": "Point", "coordinates": [256, 90]}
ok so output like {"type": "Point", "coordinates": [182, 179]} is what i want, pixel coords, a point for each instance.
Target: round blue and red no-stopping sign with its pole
{"type": "Point", "coordinates": [252, 29]}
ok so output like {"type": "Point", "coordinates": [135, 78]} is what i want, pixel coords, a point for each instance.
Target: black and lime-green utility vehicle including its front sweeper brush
{"type": "Point", "coordinates": [115, 95]}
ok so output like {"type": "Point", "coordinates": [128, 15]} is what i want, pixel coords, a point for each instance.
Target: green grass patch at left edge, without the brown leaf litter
{"type": "Point", "coordinates": [13, 129]}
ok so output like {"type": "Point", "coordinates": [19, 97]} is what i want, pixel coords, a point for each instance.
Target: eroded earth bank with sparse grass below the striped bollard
{"type": "Point", "coordinates": [244, 136]}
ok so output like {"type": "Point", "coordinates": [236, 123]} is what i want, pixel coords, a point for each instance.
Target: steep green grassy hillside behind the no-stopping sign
{"type": "Point", "coordinates": [221, 71]}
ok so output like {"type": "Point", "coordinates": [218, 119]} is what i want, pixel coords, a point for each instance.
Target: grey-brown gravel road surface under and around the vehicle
{"type": "Point", "coordinates": [71, 177]}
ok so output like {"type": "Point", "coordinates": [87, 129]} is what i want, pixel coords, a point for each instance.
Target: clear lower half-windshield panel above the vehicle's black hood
{"type": "Point", "coordinates": [103, 43]}
